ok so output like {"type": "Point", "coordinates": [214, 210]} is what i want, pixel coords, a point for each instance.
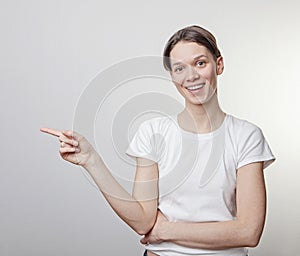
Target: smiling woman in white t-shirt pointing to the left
{"type": "Point", "coordinates": [219, 205]}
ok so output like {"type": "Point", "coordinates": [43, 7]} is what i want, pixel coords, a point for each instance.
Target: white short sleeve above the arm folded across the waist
{"type": "Point", "coordinates": [253, 147]}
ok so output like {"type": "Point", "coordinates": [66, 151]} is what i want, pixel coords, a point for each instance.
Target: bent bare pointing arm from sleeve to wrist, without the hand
{"type": "Point", "coordinates": [139, 209]}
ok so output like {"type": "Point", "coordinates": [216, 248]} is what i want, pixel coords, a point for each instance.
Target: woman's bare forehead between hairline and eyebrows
{"type": "Point", "coordinates": [186, 52]}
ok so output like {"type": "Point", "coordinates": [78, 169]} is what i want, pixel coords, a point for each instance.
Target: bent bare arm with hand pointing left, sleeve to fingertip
{"type": "Point", "coordinates": [138, 210]}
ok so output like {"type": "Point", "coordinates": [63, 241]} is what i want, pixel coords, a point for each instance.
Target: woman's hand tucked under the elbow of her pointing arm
{"type": "Point", "coordinates": [155, 236]}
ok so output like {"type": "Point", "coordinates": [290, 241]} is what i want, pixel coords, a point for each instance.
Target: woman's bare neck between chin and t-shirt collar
{"type": "Point", "coordinates": [202, 118]}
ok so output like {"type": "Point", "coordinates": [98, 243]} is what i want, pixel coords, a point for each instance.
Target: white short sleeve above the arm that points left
{"type": "Point", "coordinates": [141, 144]}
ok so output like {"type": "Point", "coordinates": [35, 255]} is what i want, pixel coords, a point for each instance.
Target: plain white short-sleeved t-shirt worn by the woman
{"type": "Point", "coordinates": [197, 172]}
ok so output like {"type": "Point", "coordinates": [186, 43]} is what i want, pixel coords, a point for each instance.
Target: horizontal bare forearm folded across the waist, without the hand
{"type": "Point", "coordinates": [210, 235]}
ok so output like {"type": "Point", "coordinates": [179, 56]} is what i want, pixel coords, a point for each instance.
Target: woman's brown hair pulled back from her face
{"type": "Point", "coordinates": [195, 34]}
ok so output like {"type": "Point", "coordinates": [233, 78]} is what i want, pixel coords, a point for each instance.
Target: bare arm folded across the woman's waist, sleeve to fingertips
{"type": "Point", "coordinates": [245, 230]}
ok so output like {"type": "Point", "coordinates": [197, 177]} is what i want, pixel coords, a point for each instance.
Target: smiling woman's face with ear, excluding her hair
{"type": "Point", "coordinates": [194, 71]}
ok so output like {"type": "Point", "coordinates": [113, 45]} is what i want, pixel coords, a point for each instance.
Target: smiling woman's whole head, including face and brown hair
{"type": "Point", "coordinates": [194, 60]}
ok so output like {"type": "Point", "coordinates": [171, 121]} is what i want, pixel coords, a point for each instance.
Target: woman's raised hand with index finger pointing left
{"type": "Point", "coordinates": [74, 148]}
